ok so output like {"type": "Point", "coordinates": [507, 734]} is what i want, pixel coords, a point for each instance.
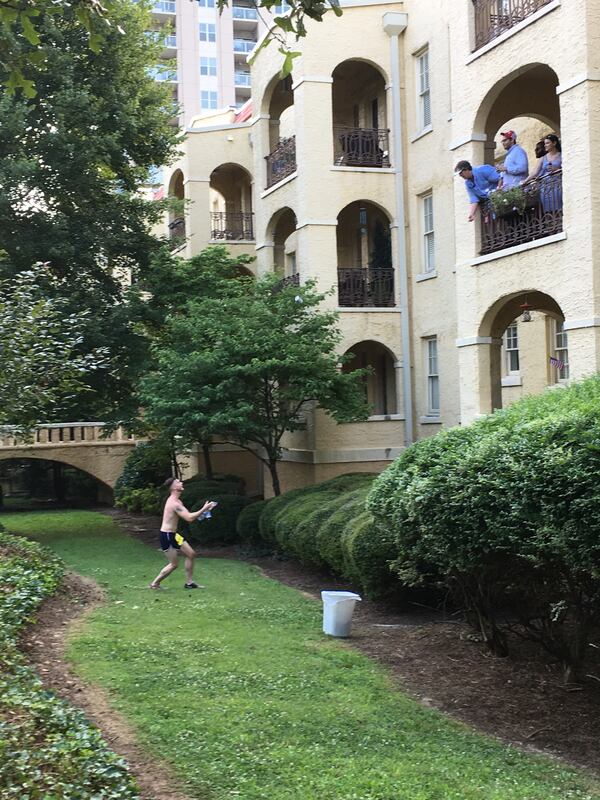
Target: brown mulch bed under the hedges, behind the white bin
{"type": "Point", "coordinates": [438, 660]}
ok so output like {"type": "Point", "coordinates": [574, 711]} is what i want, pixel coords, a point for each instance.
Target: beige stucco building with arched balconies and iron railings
{"type": "Point", "coordinates": [345, 173]}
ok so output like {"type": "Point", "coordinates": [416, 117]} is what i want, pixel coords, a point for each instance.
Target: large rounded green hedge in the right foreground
{"type": "Point", "coordinates": [506, 513]}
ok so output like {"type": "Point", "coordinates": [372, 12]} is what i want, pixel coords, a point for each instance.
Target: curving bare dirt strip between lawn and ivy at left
{"type": "Point", "coordinates": [44, 644]}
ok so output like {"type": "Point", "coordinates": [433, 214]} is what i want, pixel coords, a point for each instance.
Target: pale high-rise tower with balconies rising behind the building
{"type": "Point", "coordinates": [205, 52]}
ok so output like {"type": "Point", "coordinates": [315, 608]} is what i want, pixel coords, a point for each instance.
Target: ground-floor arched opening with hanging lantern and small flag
{"type": "Point", "coordinates": [530, 348]}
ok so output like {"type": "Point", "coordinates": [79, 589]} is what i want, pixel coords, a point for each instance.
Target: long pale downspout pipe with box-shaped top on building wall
{"type": "Point", "coordinates": [394, 24]}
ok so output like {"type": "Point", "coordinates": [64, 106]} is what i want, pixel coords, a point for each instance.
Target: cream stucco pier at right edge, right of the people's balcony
{"type": "Point", "coordinates": [580, 129]}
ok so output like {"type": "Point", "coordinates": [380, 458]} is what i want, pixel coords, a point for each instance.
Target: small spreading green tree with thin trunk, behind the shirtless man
{"type": "Point", "coordinates": [243, 364]}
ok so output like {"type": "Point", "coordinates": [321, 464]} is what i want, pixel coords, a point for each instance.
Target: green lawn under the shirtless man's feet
{"type": "Point", "coordinates": [237, 687]}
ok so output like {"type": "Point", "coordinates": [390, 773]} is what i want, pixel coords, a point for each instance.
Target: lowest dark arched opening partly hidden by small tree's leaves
{"type": "Point", "coordinates": [380, 383]}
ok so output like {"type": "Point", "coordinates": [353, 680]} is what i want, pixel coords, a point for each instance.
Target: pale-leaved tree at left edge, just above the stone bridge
{"type": "Point", "coordinates": [41, 368]}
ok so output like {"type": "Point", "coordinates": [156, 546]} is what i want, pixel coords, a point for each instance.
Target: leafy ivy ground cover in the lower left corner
{"type": "Point", "coordinates": [47, 748]}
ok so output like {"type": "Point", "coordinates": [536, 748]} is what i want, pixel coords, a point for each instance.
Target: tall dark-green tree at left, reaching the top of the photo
{"type": "Point", "coordinates": [72, 160]}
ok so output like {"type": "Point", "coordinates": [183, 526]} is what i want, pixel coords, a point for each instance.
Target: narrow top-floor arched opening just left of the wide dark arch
{"type": "Point", "coordinates": [281, 161]}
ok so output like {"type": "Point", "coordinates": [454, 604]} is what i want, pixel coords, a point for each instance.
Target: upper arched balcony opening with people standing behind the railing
{"type": "Point", "coordinates": [528, 204]}
